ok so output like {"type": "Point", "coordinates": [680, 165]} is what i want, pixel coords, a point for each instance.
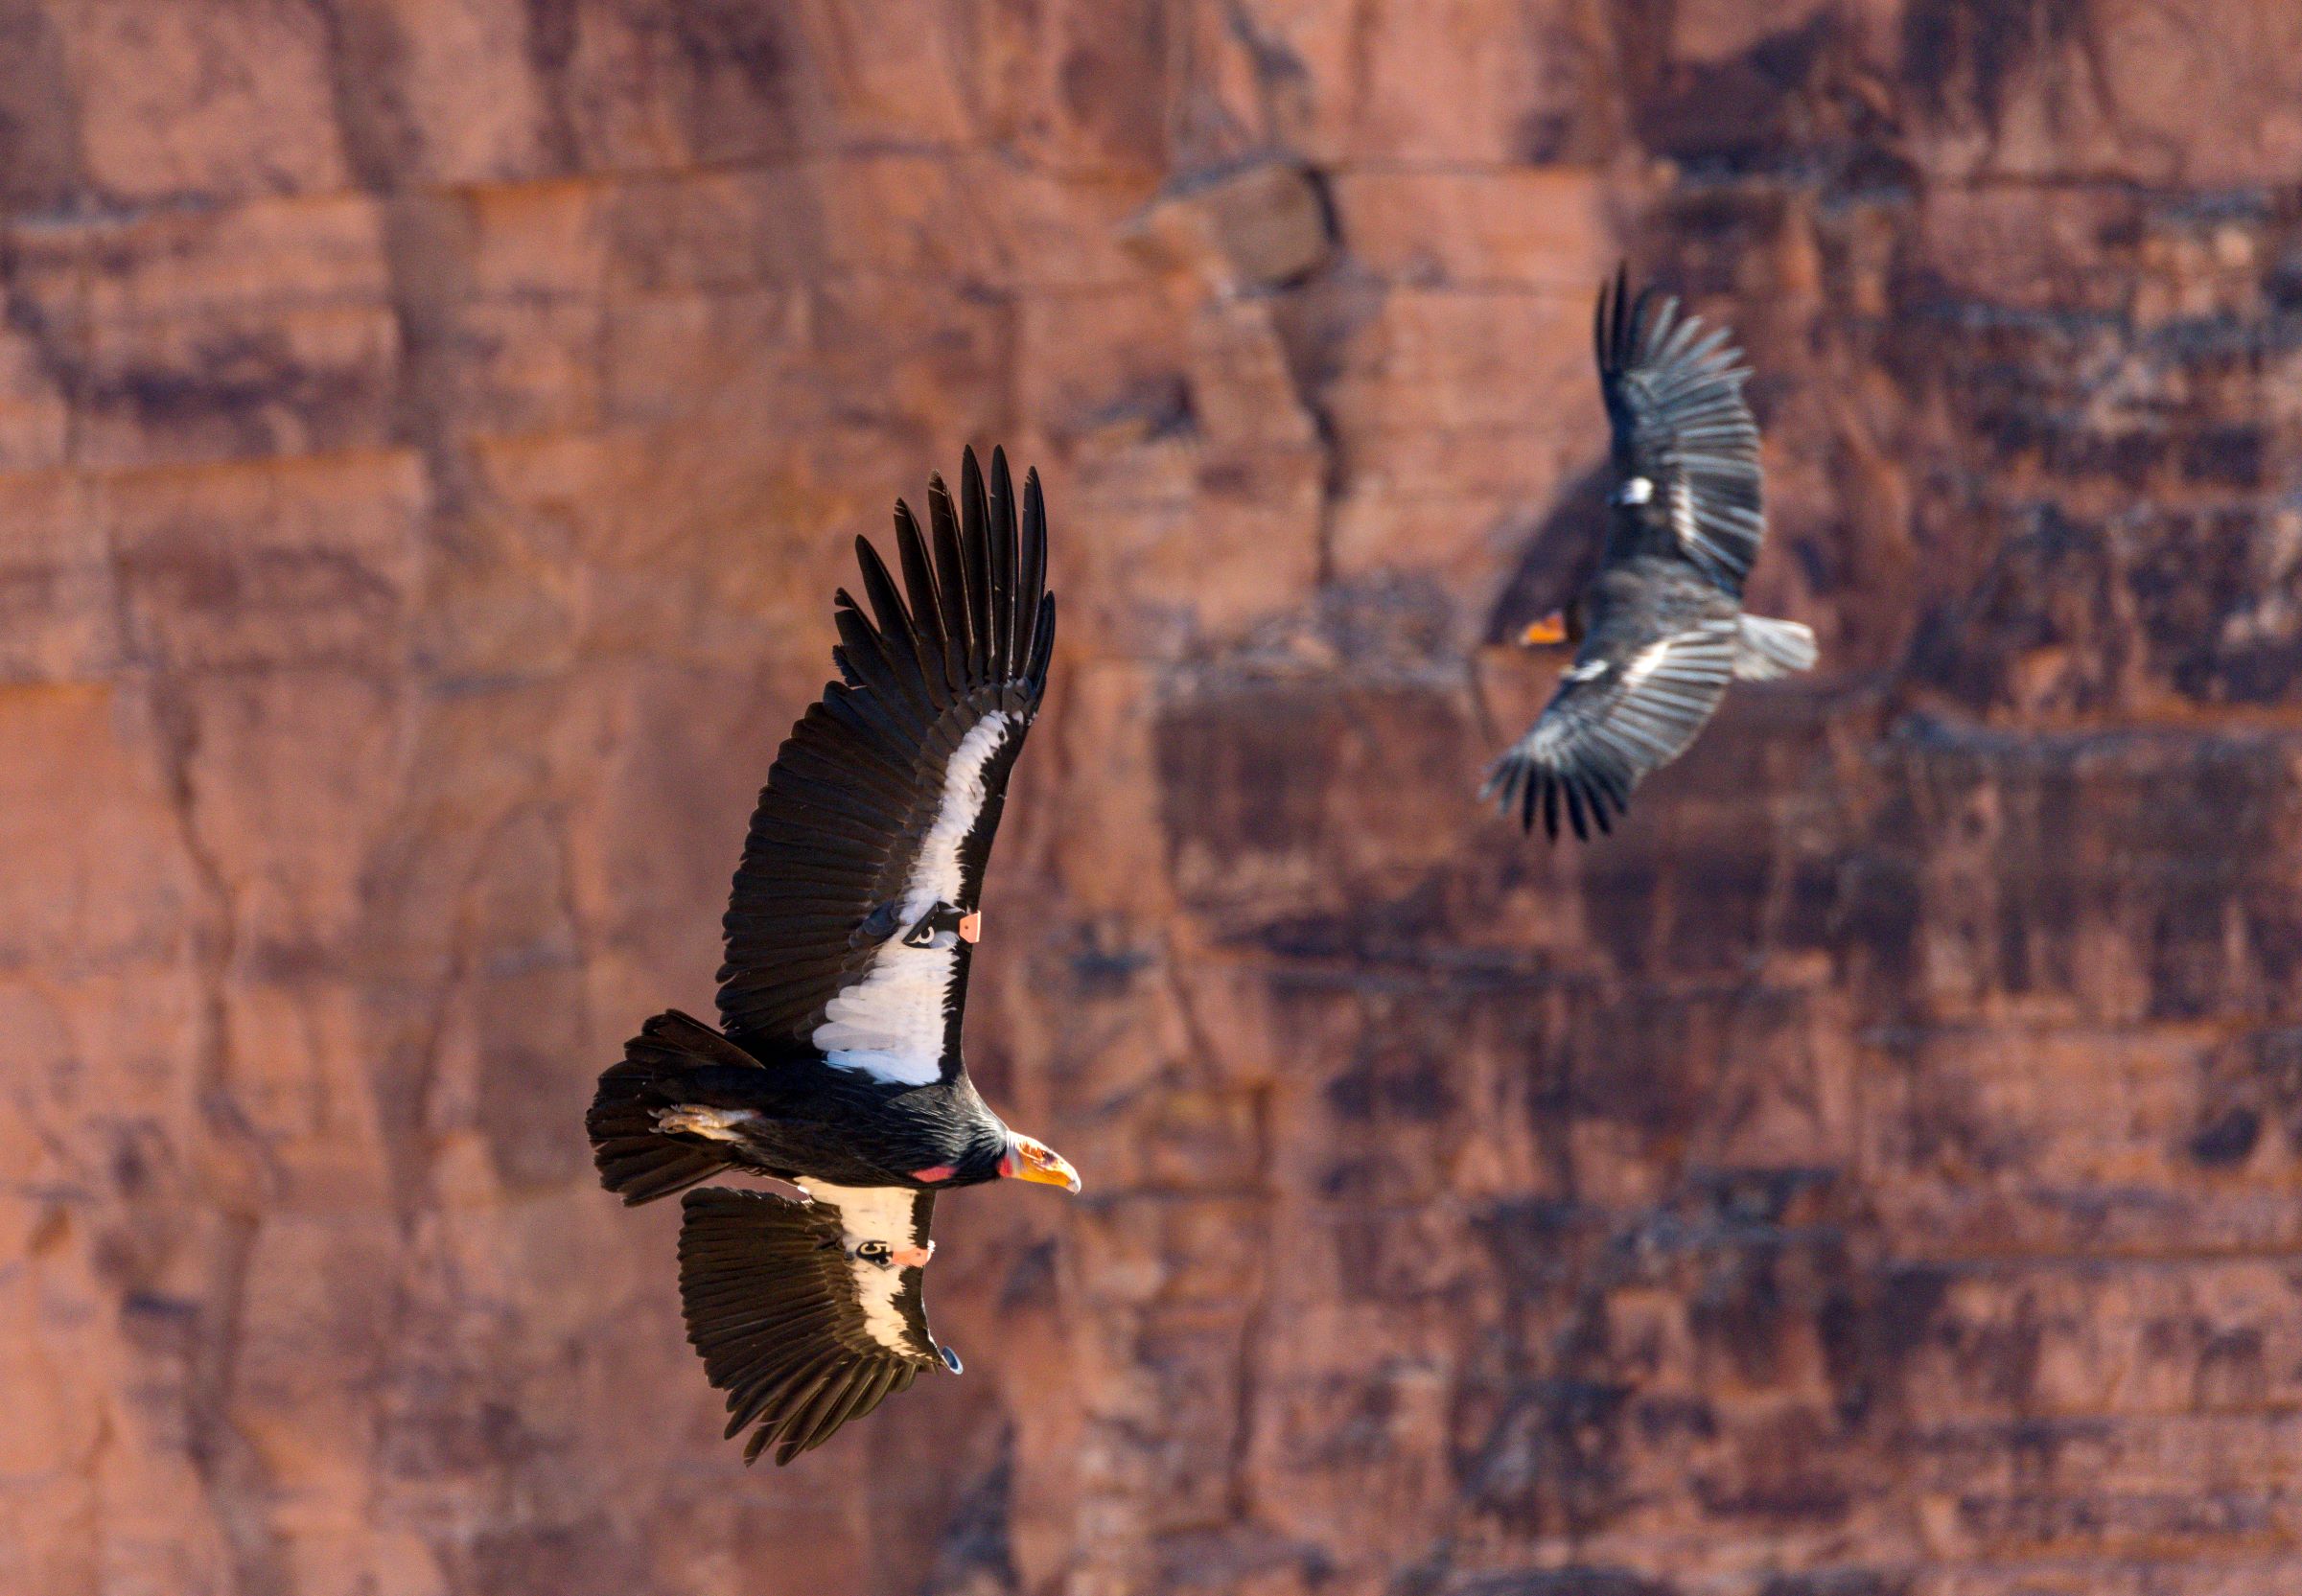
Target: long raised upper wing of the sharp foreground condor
{"type": "Point", "coordinates": [881, 810]}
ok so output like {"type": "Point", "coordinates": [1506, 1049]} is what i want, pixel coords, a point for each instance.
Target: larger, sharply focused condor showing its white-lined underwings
{"type": "Point", "coordinates": [855, 915]}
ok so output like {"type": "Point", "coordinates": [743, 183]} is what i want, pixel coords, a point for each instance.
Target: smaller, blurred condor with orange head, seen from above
{"type": "Point", "coordinates": [1661, 630]}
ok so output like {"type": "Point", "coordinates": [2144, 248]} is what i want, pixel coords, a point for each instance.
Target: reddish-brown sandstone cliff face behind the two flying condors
{"type": "Point", "coordinates": [432, 432]}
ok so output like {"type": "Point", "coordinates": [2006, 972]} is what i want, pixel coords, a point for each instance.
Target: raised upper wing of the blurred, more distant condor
{"type": "Point", "coordinates": [1682, 427]}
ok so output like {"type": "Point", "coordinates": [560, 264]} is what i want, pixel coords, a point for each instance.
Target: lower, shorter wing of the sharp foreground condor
{"type": "Point", "coordinates": [807, 1314]}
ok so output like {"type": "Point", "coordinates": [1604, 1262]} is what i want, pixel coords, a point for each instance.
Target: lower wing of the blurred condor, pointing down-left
{"type": "Point", "coordinates": [1610, 724]}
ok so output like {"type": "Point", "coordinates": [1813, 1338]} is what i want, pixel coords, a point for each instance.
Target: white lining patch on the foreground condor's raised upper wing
{"type": "Point", "coordinates": [892, 1024]}
